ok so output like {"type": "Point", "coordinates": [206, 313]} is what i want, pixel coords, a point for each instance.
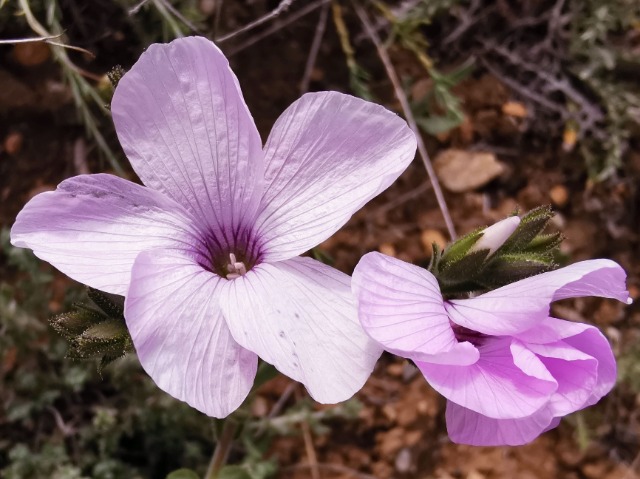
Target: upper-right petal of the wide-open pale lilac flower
{"type": "Point", "coordinates": [327, 155]}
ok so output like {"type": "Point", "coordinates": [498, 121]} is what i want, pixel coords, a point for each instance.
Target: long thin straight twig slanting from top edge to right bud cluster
{"type": "Point", "coordinates": [402, 98]}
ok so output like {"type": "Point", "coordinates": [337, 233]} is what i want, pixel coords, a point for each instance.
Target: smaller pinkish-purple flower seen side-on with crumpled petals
{"type": "Point", "coordinates": [509, 370]}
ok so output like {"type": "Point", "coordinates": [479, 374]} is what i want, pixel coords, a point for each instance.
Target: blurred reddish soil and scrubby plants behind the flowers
{"type": "Point", "coordinates": [520, 104]}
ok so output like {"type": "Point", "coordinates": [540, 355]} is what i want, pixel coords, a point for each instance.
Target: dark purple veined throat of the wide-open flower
{"type": "Point", "coordinates": [230, 255]}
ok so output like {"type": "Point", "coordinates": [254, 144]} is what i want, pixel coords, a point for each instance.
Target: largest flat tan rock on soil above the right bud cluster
{"type": "Point", "coordinates": [461, 170]}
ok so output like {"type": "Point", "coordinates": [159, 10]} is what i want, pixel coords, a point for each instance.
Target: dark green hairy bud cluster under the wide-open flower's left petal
{"type": "Point", "coordinates": [96, 331]}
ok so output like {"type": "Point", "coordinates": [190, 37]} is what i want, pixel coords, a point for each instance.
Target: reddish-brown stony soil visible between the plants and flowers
{"type": "Point", "coordinates": [400, 432]}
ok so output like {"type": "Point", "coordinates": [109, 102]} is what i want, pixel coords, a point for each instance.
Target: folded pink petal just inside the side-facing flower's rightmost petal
{"type": "Point", "coordinates": [575, 371]}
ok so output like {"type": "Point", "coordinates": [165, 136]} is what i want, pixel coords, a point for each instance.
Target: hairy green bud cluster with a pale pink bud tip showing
{"type": "Point", "coordinates": [488, 258]}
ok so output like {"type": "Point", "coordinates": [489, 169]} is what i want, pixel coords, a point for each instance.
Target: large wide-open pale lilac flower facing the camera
{"type": "Point", "coordinates": [207, 253]}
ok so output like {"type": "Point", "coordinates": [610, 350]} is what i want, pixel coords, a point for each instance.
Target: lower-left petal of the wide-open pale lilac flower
{"type": "Point", "coordinates": [182, 340]}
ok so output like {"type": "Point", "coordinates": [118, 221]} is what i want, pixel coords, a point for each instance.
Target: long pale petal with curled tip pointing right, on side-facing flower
{"type": "Point", "coordinates": [519, 306]}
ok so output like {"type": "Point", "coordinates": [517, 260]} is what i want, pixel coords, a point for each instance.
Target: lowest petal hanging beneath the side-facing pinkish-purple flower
{"type": "Point", "coordinates": [468, 427]}
